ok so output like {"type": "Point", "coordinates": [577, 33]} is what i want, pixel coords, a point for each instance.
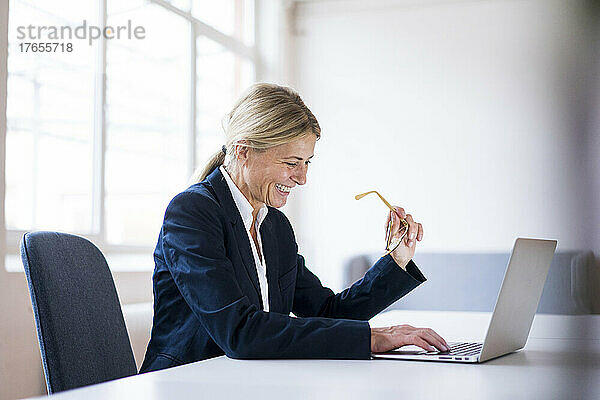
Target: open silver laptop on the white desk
{"type": "Point", "coordinates": [513, 314]}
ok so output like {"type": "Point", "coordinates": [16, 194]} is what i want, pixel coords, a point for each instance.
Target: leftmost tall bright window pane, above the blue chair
{"type": "Point", "coordinates": [50, 108]}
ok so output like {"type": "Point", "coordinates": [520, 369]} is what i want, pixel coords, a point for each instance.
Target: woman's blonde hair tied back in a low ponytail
{"type": "Point", "coordinates": [265, 116]}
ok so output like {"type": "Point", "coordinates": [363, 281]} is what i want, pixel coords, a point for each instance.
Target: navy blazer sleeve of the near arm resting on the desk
{"type": "Point", "coordinates": [192, 241]}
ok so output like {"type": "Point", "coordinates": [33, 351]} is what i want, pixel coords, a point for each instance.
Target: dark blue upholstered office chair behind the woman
{"type": "Point", "coordinates": [81, 331]}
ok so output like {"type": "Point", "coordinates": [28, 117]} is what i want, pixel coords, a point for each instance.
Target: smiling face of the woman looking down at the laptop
{"type": "Point", "coordinates": [270, 175]}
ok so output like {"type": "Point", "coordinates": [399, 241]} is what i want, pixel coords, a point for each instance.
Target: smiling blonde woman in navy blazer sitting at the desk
{"type": "Point", "coordinates": [228, 273]}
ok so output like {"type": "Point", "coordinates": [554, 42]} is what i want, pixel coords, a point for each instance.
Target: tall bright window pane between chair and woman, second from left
{"type": "Point", "coordinates": [146, 121]}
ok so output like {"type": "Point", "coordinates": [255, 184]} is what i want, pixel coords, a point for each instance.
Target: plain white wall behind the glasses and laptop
{"type": "Point", "coordinates": [463, 112]}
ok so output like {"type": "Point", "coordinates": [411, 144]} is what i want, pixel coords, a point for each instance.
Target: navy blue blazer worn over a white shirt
{"type": "Point", "coordinates": [207, 297]}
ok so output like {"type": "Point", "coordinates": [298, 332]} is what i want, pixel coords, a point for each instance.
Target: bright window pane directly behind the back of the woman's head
{"type": "Point", "coordinates": [221, 77]}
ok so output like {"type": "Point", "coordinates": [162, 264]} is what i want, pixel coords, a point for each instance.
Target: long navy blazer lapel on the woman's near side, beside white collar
{"type": "Point", "coordinates": [217, 181]}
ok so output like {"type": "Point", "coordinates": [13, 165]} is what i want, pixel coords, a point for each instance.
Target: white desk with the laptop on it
{"type": "Point", "coordinates": [561, 361]}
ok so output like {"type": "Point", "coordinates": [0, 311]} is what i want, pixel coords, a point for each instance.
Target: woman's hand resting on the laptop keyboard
{"type": "Point", "coordinates": [392, 337]}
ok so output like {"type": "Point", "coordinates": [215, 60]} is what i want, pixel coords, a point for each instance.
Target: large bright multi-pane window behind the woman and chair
{"type": "Point", "coordinates": [101, 138]}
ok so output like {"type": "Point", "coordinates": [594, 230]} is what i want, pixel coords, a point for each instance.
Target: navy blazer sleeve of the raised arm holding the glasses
{"type": "Point", "coordinates": [383, 284]}
